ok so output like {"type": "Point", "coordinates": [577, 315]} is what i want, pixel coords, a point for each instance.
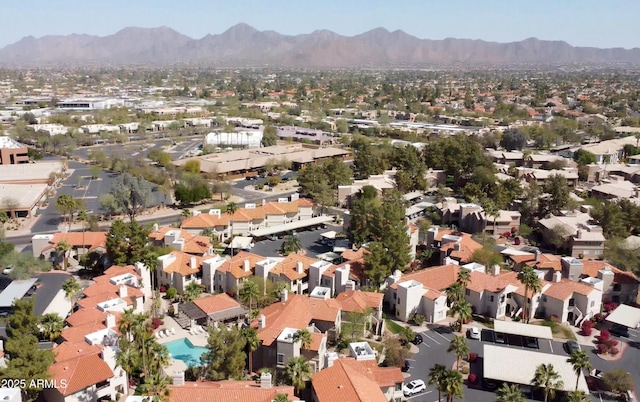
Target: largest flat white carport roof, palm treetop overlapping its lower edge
{"type": "Point", "coordinates": [518, 366]}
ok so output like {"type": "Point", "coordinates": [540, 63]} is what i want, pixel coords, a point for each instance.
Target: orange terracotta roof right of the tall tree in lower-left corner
{"type": "Point", "coordinates": [80, 373]}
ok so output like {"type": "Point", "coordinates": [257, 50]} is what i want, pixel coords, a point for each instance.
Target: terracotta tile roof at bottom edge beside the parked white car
{"type": "Point", "coordinates": [349, 380]}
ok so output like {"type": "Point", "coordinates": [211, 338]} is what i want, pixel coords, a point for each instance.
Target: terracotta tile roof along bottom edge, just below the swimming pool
{"type": "Point", "coordinates": [232, 391]}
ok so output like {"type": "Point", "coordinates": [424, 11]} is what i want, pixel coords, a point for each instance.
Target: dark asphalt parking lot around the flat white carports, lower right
{"type": "Point", "coordinates": [434, 351]}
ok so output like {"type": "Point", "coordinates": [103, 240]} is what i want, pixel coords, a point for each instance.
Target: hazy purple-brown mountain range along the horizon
{"type": "Point", "coordinates": [244, 46]}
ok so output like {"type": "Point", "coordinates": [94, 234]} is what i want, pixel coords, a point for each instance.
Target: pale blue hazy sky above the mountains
{"type": "Point", "coordinates": [611, 23]}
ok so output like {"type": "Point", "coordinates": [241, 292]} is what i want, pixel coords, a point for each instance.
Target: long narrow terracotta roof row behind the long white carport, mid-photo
{"type": "Point", "coordinates": [245, 214]}
